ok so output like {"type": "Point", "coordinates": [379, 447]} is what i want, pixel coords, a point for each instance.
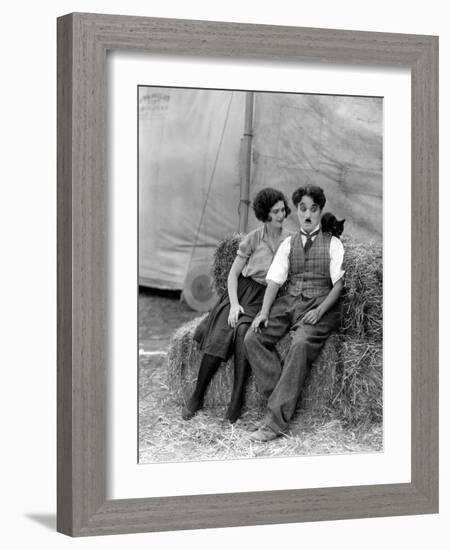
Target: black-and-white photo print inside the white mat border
{"type": "Point", "coordinates": [228, 182]}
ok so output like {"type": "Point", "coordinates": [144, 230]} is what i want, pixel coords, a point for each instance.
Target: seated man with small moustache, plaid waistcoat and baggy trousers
{"type": "Point", "coordinates": [311, 262]}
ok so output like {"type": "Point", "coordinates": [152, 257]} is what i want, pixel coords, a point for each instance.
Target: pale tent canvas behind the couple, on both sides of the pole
{"type": "Point", "coordinates": [191, 168]}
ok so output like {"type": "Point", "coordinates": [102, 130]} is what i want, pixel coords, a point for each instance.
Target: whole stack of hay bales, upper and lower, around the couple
{"type": "Point", "coordinates": [346, 380]}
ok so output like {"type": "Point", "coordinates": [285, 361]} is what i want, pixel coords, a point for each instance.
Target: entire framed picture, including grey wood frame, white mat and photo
{"type": "Point", "coordinates": [170, 135]}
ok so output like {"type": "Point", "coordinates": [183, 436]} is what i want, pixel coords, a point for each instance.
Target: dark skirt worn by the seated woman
{"type": "Point", "coordinates": [213, 334]}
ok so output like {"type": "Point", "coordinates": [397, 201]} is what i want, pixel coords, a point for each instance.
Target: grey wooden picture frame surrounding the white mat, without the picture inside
{"type": "Point", "coordinates": [83, 41]}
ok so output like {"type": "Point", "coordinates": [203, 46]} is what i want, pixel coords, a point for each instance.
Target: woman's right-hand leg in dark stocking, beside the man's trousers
{"type": "Point", "coordinates": [241, 373]}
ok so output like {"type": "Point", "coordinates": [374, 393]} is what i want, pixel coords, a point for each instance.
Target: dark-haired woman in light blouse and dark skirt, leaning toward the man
{"type": "Point", "coordinates": [222, 333]}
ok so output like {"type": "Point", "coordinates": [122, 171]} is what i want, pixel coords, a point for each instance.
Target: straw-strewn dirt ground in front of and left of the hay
{"type": "Point", "coordinates": [165, 437]}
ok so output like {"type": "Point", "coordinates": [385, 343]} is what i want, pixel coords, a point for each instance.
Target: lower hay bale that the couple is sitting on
{"type": "Point", "coordinates": [345, 382]}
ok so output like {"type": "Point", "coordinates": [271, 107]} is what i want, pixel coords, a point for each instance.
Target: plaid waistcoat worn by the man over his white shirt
{"type": "Point", "coordinates": [309, 275]}
